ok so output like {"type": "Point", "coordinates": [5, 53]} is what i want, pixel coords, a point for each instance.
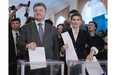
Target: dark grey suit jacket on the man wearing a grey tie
{"type": "Point", "coordinates": [30, 34]}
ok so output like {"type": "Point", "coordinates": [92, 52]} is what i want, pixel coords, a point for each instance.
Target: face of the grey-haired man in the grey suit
{"type": "Point", "coordinates": [39, 13]}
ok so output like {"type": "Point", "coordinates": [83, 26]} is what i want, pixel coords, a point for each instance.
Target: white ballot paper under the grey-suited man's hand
{"type": "Point", "coordinates": [37, 58]}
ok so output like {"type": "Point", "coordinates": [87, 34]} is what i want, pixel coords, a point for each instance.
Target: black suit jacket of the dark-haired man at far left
{"type": "Point", "coordinates": [12, 56]}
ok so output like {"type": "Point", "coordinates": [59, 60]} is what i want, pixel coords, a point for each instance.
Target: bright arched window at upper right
{"type": "Point", "coordinates": [92, 9]}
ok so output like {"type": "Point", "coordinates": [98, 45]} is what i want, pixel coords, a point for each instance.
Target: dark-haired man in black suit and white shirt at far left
{"type": "Point", "coordinates": [13, 52]}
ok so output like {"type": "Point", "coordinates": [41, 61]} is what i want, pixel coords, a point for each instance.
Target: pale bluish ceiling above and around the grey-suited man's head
{"type": "Point", "coordinates": [52, 6]}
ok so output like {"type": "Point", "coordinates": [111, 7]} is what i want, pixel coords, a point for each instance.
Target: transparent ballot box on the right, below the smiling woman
{"type": "Point", "coordinates": [83, 67]}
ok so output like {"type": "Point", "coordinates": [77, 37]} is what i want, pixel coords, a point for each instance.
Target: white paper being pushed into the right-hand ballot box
{"type": "Point", "coordinates": [93, 67]}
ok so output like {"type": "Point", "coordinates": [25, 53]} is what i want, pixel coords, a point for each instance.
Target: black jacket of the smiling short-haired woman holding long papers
{"type": "Point", "coordinates": [79, 45]}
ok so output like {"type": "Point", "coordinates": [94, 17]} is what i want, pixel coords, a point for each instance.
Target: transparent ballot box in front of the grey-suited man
{"type": "Point", "coordinates": [51, 68]}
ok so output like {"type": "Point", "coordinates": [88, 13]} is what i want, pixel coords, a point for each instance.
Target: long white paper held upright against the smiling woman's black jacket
{"type": "Point", "coordinates": [70, 52]}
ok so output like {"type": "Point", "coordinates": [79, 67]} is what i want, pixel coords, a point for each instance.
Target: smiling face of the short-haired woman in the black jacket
{"type": "Point", "coordinates": [76, 21]}
